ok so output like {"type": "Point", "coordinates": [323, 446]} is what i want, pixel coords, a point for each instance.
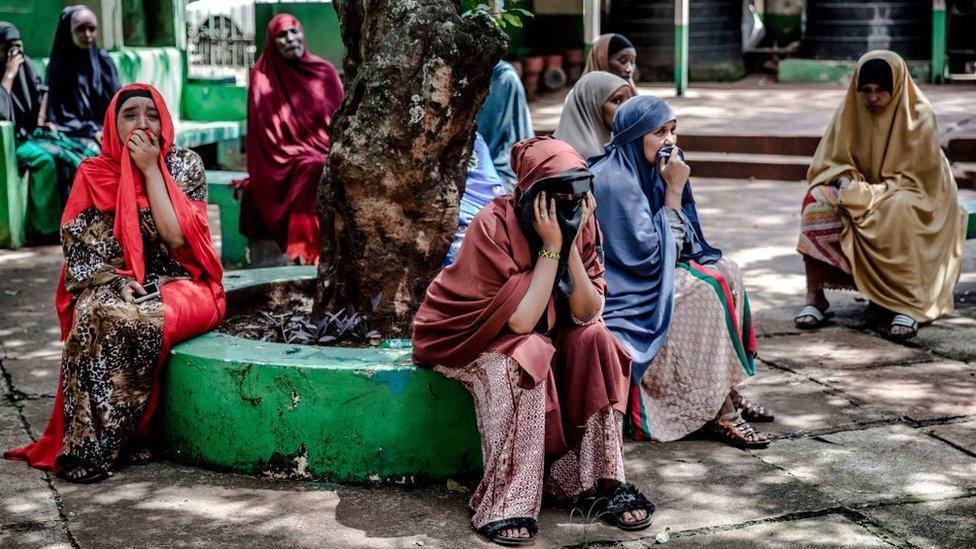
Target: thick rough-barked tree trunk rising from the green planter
{"type": "Point", "coordinates": [415, 75]}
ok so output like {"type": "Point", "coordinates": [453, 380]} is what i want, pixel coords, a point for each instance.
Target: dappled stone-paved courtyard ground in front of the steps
{"type": "Point", "coordinates": [875, 442]}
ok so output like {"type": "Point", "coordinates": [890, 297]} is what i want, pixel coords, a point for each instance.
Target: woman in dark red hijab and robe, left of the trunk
{"type": "Point", "coordinates": [291, 100]}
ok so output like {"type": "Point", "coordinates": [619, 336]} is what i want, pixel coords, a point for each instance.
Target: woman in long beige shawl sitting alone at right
{"type": "Point", "coordinates": [882, 216]}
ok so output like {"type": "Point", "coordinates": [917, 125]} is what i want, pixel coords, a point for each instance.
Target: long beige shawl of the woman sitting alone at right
{"type": "Point", "coordinates": [903, 226]}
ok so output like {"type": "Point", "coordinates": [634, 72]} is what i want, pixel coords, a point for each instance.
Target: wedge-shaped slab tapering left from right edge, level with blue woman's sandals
{"type": "Point", "coordinates": [924, 391]}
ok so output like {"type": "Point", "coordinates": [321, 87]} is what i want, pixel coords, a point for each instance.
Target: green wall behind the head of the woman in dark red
{"type": "Point", "coordinates": [319, 19]}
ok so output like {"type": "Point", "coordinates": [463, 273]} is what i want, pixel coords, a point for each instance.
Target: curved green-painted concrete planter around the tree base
{"type": "Point", "coordinates": [298, 411]}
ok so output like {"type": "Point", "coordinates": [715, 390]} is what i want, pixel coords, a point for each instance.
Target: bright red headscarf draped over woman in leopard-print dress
{"type": "Point", "coordinates": [110, 184]}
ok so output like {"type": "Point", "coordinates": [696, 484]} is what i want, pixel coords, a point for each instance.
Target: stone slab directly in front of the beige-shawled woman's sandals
{"type": "Point", "coordinates": [836, 348]}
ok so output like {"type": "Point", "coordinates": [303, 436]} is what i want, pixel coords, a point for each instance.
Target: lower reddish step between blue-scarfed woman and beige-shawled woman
{"type": "Point", "coordinates": [745, 166]}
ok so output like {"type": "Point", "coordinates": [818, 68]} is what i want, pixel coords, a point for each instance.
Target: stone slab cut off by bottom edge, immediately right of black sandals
{"type": "Point", "coordinates": [831, 531]}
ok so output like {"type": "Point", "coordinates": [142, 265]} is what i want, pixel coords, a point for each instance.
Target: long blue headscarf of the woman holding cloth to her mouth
{"type": "Point", "coordinates": [640, 250]}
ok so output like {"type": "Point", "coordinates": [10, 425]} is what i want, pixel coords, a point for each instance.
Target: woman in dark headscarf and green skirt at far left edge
{"type": "Point", "coordinates": [49, 160]}
